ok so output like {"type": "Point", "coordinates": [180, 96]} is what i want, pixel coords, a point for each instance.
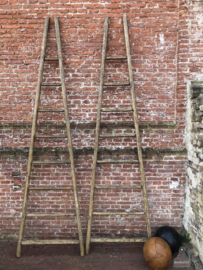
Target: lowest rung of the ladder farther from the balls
{"type": "Point", "coordinates": [52, 241]}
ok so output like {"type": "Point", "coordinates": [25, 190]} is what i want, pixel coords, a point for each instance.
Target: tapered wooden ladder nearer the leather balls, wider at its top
{"type": "Point", "coordinates": [95, 159]}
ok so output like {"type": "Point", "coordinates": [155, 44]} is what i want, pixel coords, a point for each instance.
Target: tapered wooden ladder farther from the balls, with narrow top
{"type": "Point", "coordinates": [30, 157]}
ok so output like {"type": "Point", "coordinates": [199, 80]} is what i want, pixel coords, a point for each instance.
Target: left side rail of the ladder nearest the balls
{"type": "Point", "coordinates": [88, 239]}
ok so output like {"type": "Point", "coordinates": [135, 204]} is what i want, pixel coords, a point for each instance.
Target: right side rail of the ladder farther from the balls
{"type": "Point", "coordinates": [70, 147]}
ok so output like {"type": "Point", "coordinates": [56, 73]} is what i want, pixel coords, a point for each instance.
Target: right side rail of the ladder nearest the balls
{"type": "Point", "coordinates": [136, 126]}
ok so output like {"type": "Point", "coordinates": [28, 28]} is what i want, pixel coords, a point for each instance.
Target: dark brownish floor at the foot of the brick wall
{"type": "Point", "coordinates": [55, 257]}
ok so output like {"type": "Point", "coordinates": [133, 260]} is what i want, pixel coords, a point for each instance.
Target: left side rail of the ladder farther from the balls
{"type": "Point", "coordinates": [34, 126]}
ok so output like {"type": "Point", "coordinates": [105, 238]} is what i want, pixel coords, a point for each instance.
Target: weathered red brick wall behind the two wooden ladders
{"type": "Point", "coordinates": [161, 59]}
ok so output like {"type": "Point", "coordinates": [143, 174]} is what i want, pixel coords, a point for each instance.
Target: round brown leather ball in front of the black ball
{"type": "Point", "coordinates": [157, 253]}
